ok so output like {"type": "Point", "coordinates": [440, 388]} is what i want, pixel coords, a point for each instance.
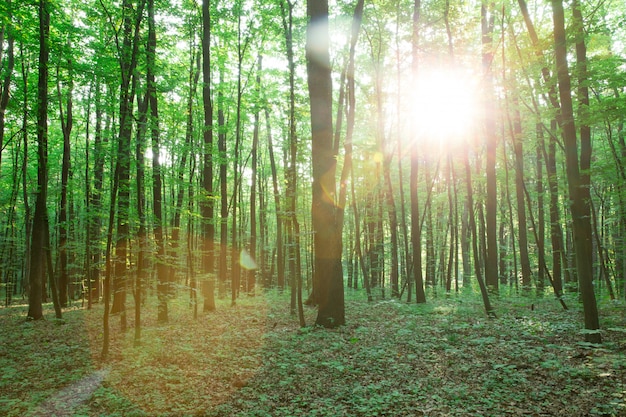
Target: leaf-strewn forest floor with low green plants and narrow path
{"type": "Point", "coordinates": [443, 358]}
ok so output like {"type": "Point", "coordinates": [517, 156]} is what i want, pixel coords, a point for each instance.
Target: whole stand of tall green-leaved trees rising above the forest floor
{"type": "Point", "coordinates": [145, 157]}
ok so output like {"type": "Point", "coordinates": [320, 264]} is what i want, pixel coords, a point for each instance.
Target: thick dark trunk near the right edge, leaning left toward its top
{"type": "Point", "coordinates": [577, 170]}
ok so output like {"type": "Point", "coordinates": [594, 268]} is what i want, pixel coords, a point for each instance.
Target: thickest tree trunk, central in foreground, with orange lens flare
{"type": "Point", "coordinates": [328, 273]}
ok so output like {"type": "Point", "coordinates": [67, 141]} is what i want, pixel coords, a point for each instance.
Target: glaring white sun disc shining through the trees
{"type": "Point", "coordinates": [444, 107]}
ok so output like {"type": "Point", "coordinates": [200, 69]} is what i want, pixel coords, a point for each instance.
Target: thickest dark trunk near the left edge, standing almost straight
{"type": "Point", "coordinates": [38, 261]}
